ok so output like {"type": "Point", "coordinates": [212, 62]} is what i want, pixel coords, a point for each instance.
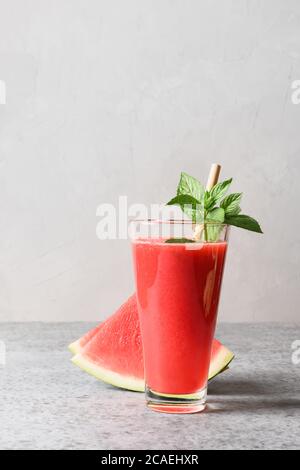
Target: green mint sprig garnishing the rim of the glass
{"type": "Point", "coordinates": [212, 207]}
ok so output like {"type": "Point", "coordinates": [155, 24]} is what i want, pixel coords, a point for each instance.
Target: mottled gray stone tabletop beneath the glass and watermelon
{"type": "Point", "coordinates": [47, 403]}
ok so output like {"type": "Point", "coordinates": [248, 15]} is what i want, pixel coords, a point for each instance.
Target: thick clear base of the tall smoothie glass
{"type": "Point", "coordinates": [177, 404]}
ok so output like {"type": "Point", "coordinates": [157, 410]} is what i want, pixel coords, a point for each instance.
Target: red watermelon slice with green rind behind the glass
{"type": "Point", "coordinates": [112, 351]}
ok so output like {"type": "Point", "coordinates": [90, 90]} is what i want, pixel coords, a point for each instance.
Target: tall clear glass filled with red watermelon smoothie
{"type": "Point", "coordinates": [178, 282]}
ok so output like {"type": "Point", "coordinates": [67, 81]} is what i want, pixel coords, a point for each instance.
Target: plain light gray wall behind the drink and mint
{"type": "Point", "coordinates": [117, 97]}
